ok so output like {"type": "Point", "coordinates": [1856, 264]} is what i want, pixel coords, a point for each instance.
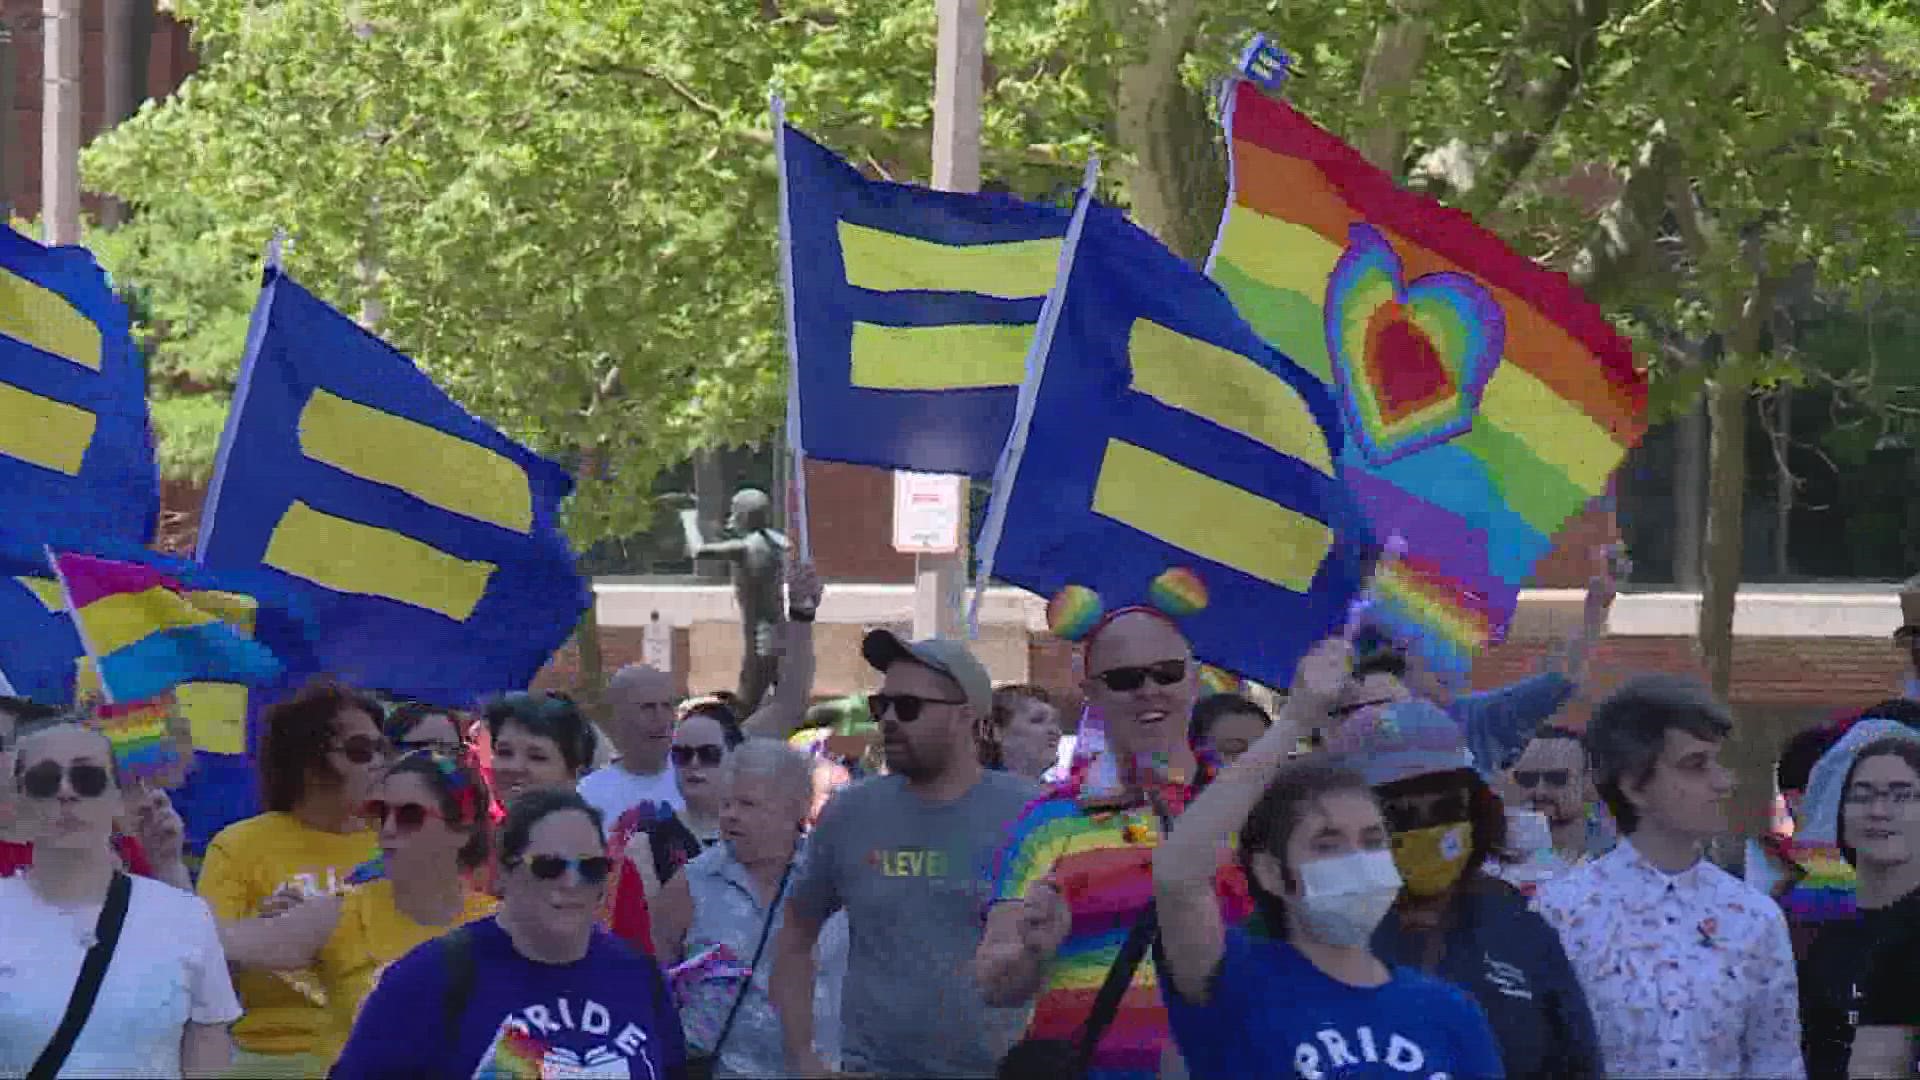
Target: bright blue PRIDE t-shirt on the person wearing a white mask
{"type": "Point", "coordinates": [1274, 1014]}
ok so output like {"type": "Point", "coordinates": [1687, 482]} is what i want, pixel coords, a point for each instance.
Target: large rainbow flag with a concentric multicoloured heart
{"type": "Point", "coordinates": [1485, 399]}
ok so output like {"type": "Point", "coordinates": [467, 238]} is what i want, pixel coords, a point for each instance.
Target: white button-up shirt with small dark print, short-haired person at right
{"type": "Point", "coordinates": [1687, 975]}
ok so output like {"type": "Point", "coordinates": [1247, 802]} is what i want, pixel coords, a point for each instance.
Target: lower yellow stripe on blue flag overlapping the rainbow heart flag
{"type": "Point", "coordinates": [1211, 518]}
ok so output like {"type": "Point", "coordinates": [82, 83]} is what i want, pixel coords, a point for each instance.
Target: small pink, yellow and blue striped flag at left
{"type": "Point", "coordinates": [147, 633]}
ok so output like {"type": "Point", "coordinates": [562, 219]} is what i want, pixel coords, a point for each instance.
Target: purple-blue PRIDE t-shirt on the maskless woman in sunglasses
{"type": "Point", "coordinates": [604, 1016]}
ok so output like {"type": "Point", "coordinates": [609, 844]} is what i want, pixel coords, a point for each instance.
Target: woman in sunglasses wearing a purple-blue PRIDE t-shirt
{"type": "Point", "coordinates": [537, 991]}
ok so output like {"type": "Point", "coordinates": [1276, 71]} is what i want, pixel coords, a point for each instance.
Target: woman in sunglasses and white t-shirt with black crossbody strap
{"type": "Point", "coordinates": [164, 1000]}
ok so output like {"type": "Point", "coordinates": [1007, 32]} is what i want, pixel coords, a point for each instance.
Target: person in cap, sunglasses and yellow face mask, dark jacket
{"type": "Point", "coordinates": [1454, 920]}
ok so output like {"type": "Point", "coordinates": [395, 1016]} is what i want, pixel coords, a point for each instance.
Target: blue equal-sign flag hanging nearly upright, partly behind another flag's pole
{"type": "Point", "coordinates": [911, 312]}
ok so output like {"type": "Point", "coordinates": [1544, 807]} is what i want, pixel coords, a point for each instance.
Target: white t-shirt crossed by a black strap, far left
{"type": "Point", "coordinates": [168, 971]}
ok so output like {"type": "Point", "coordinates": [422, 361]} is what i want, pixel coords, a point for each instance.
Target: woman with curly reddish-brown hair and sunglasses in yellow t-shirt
{"type": "Point", "coordinates": [276, 881]}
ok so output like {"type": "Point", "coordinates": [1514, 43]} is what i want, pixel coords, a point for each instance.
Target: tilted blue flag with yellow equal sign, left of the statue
{"type": "Point", "coordinates": [425, 541]}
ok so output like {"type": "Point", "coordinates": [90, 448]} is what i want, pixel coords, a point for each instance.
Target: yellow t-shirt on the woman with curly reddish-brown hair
{"type": "Point", "coordinates": [247, 864]}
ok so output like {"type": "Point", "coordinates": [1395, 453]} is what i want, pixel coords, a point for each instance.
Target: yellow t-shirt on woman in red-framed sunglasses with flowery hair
{"type": "Point", "coordinates": [373, 933]}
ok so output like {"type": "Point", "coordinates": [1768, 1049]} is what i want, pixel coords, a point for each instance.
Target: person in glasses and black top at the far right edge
{"type": "Point", "coordinates": [1865, 787]}
